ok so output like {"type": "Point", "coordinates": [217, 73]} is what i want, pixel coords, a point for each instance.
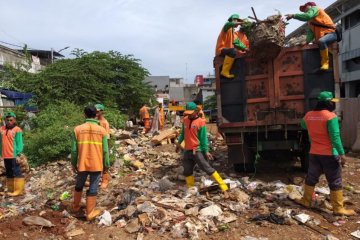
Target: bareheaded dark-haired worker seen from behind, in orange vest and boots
{"type": "Point", "coordinates": [89, 157]}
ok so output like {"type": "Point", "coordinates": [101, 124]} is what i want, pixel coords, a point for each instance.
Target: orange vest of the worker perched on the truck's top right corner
{"type": "Point", "coordinates": [323, 19]}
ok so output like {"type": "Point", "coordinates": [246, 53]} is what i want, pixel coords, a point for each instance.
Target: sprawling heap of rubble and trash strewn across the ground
{"type": "Point", "coordinates": [147, 193]}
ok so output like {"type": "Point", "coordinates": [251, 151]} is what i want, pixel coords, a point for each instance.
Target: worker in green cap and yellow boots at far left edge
{"type": "Point", "coordinates": [11, 147]}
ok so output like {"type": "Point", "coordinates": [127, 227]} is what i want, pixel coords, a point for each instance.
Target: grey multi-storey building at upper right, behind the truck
{"type": "Point", "coordinates": [346, 13]}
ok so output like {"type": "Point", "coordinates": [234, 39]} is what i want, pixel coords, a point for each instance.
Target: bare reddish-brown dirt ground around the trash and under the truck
{"type": "Point", "coordinates": [268, 170]}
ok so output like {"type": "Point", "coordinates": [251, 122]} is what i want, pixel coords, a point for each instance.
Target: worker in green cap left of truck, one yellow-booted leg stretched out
{"type": "Point", "coordinates": [194, 134]}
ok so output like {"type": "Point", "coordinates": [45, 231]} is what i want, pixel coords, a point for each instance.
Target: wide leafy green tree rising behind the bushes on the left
{"type": "Point", "coordinates": [110, 78]}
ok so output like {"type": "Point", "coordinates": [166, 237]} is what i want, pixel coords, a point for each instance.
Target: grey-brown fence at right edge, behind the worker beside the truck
{"type": "Point", "coordinates": [350, 108]}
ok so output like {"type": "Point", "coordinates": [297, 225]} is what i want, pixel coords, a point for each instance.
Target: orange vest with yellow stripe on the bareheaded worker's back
{"type": "Point", "coordinates": [89, 140]}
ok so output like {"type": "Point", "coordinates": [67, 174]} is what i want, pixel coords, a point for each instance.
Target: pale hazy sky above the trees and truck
{"type": "Point", "coordinates": [171, 37]}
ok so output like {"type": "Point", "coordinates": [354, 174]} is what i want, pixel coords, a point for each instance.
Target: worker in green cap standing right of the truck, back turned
{"type": "Point", "coordinates": [326, 153]}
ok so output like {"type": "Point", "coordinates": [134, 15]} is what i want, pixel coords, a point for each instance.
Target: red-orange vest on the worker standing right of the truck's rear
{"type": "Point", "coordinates": [316, 123]}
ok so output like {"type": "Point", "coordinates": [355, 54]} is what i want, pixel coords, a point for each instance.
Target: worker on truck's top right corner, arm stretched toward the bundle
{"type": "Point", "coordinates": [321, 28]}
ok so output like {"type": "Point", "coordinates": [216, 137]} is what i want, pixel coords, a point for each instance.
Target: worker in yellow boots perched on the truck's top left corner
{"type": "Point", "coordinates": [228, 43]}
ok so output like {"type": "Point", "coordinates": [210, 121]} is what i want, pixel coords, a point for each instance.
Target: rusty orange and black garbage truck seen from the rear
{"type": "Point", "coordinates": [260, 109]}
